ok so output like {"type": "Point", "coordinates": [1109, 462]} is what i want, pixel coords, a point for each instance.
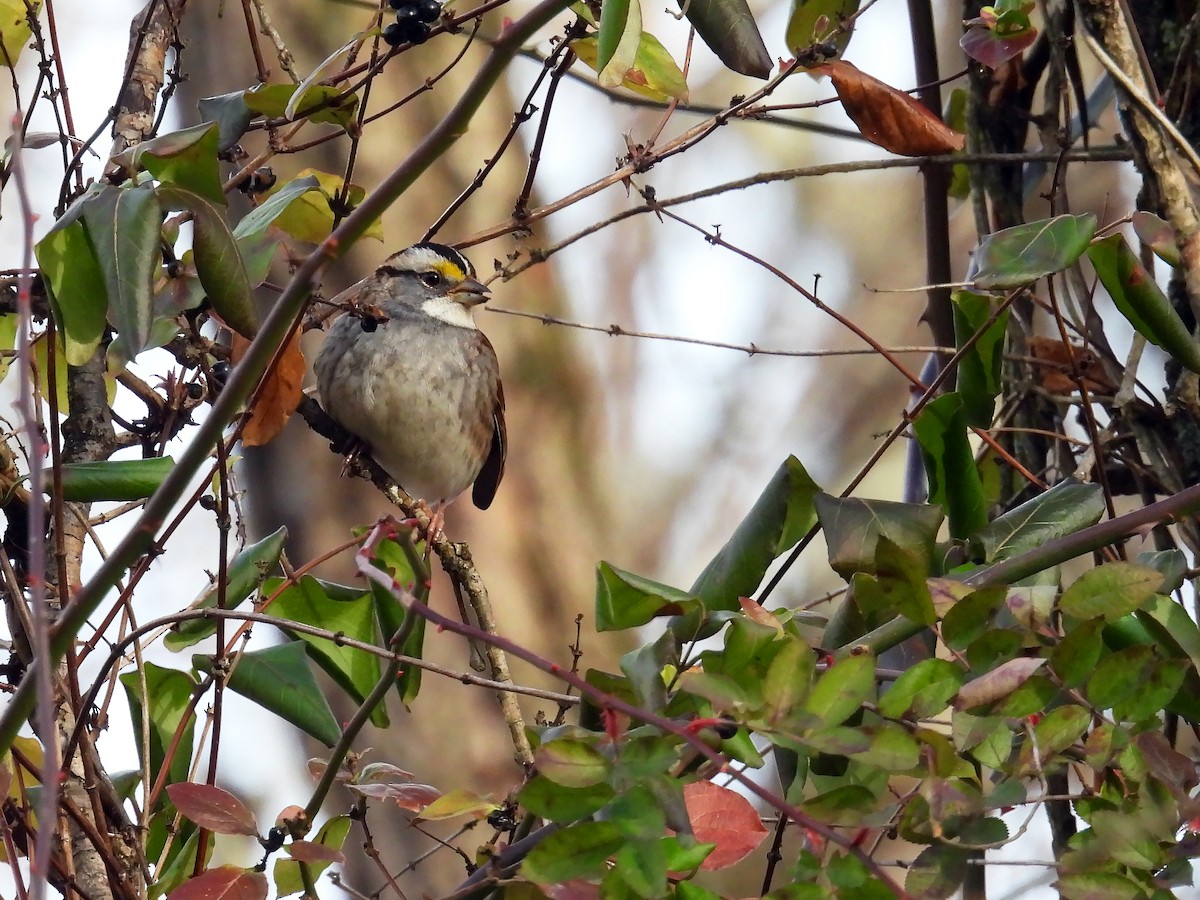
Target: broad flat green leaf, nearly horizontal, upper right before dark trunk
{"type": "Point", "coordinates": [1018, 256]}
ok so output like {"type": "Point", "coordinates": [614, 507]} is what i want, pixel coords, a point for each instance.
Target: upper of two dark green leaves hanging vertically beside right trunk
{"type": "Point", "coordinates": [980, 380]}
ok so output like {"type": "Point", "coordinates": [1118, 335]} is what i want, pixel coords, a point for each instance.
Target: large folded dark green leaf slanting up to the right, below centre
{"type": "Point", "coordinates": [783, 514]}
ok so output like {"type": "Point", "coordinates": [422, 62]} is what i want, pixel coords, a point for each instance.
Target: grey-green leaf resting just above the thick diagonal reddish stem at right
{"type": "Point", "coordinates": [1066, 508]}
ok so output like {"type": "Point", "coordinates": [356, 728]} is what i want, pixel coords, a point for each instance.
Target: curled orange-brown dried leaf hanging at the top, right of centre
{"type": "Point", "coordinates": [890, 118]}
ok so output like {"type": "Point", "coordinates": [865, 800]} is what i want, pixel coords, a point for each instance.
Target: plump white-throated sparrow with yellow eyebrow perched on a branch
{"type": "Point", "coordinates": [407, 371]}
